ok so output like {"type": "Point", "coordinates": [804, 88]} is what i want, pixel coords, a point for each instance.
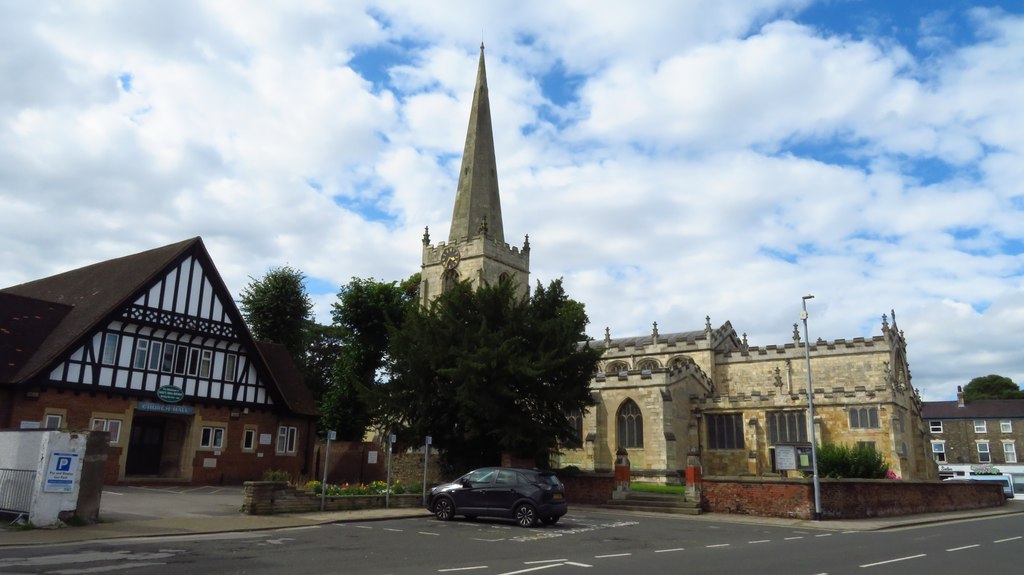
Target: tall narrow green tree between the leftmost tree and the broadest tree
{"type": "Point", "coordinates": [363, 317]}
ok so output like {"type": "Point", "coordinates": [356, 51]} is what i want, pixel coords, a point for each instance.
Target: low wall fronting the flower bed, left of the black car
{"type": "Point", "coordinates": [269, 498]}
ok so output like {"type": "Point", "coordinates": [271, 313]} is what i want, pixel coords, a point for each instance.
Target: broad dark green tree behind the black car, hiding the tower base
{"type": "Point", "coordinates": [488, 372]}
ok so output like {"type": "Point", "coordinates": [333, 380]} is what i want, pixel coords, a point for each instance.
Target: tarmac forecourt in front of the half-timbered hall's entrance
{"type": "Point", "coordinates": [123, 503]}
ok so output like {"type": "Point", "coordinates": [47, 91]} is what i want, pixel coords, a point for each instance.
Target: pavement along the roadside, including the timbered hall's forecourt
{"type": "Point", "coordinates": [149, 512]}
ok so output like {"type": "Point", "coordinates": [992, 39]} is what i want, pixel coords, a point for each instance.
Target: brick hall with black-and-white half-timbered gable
{"type": "Point", "coordinates": [152, 348]}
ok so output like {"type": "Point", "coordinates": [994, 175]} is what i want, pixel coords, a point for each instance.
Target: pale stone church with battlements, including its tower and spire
{"type": "Point", "coordinates": [704, 397]}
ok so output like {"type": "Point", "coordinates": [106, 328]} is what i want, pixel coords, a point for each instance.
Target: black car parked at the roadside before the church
{"type": "Point", "coordinates": [526, 496]}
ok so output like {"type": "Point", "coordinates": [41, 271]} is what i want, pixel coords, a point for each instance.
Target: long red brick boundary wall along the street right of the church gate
{"type": "Point", "coordinates": [843, 499]}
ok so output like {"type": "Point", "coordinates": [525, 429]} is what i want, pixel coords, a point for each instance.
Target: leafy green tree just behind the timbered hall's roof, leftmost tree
{"type": "Point", "coordinates": [278, 309]}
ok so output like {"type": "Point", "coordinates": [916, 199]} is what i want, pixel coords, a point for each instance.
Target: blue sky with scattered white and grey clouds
{"type": "Point", "coordinates": [669, 160]}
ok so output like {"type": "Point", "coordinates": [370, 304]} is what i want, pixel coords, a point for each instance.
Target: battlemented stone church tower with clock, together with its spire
{"type": "Point", "coordinates": [476, 250]}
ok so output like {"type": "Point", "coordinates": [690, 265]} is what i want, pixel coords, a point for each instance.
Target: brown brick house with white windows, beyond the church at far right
{"type": "Point", "coordinates": [968, 437]}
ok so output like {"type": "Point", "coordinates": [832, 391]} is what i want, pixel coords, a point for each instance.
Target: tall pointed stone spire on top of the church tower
{"type": "Point", "coordinates": [478, 206]}
